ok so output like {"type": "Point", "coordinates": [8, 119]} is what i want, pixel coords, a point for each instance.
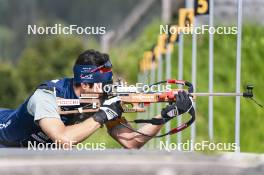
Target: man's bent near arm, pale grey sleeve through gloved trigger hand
{"type": "Point", "coordinates": [42, 105]}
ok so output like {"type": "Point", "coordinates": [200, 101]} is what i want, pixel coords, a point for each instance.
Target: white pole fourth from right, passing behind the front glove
{"type": "Point", "coordinates": [180, 77]}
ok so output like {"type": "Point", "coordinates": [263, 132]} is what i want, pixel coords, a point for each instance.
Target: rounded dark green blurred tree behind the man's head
{"type": "Point", "coordinates": [48, 58]}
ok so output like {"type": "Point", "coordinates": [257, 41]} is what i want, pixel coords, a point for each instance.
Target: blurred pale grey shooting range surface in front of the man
{"type": "Point", "coordinates": [129, 162]}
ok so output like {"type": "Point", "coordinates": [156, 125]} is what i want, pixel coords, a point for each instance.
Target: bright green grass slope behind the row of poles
{"type": "Point", "coordinates": [125, 60]}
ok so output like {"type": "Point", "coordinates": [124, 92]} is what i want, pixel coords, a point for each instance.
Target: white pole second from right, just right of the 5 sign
{"type": "Point", "coordinates": [211, 72]}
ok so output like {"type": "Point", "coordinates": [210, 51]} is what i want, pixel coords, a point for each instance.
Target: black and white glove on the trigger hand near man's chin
{"type": "Point", "coordinates": [110, 109]}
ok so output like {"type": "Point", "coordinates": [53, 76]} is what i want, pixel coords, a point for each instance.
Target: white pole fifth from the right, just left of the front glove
{"type": "Point", "coordinates": [168, 76]}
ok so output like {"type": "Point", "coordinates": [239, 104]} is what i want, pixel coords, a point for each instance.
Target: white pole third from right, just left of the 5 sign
{"type": "Point", "coordinates": [194, 62]}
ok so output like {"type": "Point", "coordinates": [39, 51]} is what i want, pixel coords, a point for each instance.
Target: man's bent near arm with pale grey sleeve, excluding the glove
{"type": "Point", "coordinates": [42, 105]}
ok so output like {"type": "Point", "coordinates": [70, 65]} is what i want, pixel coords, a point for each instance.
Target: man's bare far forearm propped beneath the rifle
{"type": "Point", "coordinates": [132, 140]}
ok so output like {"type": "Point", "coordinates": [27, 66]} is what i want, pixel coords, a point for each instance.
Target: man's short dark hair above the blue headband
{"type": "Point", "coordinates": [91, 57]}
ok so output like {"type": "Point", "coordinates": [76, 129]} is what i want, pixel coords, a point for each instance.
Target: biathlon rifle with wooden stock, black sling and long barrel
{"type": "Point", "coordinates": [134, 101]}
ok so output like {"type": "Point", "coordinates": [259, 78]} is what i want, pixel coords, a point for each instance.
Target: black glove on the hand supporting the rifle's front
{"type": "Point", "coordinates": [183, 104]}
